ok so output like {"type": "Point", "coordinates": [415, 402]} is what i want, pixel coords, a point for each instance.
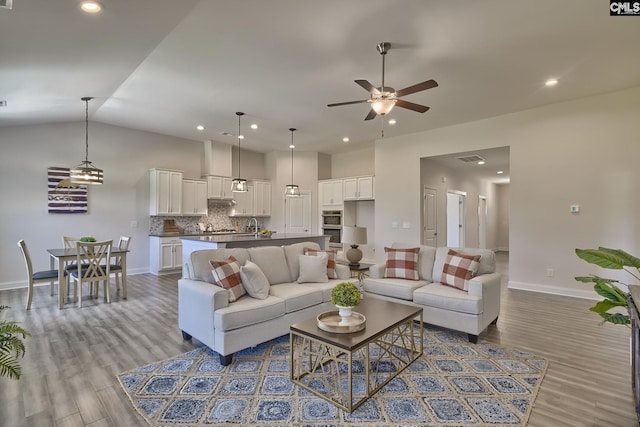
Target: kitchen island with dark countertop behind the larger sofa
{"type": "Point", "coordinates": [196, 243]}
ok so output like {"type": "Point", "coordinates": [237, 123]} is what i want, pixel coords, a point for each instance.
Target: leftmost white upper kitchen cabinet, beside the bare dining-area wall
{"type": "Point", "coordinates": [166, 192]}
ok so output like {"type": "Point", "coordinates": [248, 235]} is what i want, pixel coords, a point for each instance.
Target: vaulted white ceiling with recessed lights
{"type": "Point", "coordinates": [166, 66]}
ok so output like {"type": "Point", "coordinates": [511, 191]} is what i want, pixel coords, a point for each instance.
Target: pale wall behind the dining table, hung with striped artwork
{"type": "Point", "coordinates": [125, 156]}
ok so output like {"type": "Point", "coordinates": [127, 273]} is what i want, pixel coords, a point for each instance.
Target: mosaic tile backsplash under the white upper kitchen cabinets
{"type": "Point", "coordinates": [218, 218]}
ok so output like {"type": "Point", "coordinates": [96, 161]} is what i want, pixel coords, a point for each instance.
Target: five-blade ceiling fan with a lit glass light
{"type": "Point", "coordinates": [383, 98]}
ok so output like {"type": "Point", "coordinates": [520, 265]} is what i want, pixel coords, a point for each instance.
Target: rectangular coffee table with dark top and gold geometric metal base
{"type": "Point", "coordinates": [346, 369]}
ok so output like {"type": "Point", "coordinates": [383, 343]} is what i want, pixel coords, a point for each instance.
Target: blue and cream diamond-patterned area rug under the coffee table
{"type": "Point", "coordinates": [454, 383]}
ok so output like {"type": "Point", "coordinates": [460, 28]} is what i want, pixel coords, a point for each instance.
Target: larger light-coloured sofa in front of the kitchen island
{"type": "Point", "coordinates": [205, 313]}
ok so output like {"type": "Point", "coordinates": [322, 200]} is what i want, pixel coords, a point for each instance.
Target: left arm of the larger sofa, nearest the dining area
{"type": "Point", "coordinates": [197, 301]}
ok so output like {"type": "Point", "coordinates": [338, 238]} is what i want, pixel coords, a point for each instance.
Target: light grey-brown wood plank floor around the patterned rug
{"type": "Point", "coordinates": [74, 354]}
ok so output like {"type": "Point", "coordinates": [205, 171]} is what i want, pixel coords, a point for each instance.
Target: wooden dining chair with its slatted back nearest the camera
{"type": "Point", "coordinates": [93, 266]}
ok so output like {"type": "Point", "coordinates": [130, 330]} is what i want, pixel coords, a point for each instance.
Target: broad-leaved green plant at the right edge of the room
{"type": "Point", "coordinates": [613, 296]}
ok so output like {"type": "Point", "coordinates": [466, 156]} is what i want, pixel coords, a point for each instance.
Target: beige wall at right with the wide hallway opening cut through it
{"type": "Point", "coordinates": [581, 152]}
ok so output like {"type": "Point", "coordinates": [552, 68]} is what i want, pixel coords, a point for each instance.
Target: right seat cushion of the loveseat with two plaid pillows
{"type": "Point", "coordinates": [448, 298]}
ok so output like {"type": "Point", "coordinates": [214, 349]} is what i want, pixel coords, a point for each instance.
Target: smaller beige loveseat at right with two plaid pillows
{"type": "Point", "coordinates": [469, 311]}
